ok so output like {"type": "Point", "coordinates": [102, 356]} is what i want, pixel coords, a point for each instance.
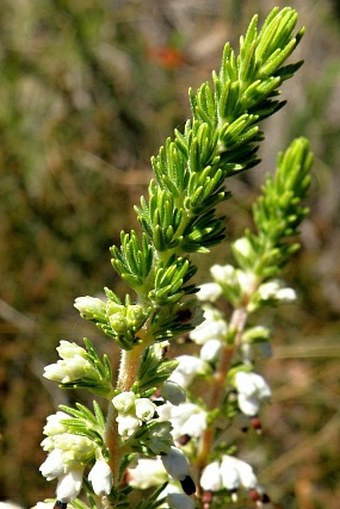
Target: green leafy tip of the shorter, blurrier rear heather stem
{"type": "Point", "coordinates": [278, 213]}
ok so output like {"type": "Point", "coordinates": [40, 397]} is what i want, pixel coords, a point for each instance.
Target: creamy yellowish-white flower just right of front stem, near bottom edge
{"type": "Point", "coordinates": [148, 472]}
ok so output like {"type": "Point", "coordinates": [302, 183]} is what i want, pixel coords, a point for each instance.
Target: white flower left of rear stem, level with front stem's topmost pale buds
{"type": "Point", "coordinates": [213, 327]}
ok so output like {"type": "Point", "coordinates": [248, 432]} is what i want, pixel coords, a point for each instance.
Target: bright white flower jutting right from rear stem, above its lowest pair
{"type": "Point", "coordinates": [252, 389]}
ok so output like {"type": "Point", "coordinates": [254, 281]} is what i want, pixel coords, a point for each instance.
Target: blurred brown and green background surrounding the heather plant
{"type": "Point", "coordinates": [89, 89]}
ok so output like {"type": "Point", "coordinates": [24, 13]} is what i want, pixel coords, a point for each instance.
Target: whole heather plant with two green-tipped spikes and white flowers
{"type": "Point", "coordinates": [150, 429]}
